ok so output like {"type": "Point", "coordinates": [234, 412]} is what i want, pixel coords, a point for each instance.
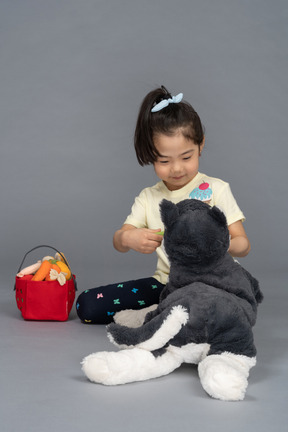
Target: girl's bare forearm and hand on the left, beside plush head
{"type": "Point", "coordinates": [142, 240]}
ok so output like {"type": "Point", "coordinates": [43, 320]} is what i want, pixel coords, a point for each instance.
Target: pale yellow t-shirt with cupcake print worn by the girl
{"type": "Point", "coordinates": [145, 212]}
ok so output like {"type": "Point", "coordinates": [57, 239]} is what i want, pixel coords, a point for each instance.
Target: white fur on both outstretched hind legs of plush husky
{"type": "Point", "coordinates": [222, 376]}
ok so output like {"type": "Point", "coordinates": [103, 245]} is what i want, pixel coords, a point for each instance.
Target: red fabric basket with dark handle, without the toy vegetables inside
{"type": "Point", "coordinates": [44, 300]}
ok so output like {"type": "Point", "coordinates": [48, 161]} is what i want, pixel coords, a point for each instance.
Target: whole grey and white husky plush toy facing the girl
{"type": "Point", "coordinates": [205, 315]}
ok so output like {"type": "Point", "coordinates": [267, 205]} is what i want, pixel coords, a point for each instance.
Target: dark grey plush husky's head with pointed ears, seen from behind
{"type": "Point", "coordinates": [195, 233]}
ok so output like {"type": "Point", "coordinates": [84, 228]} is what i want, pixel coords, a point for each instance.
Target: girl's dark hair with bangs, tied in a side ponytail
{"type": "Point", "coordinates": [166, 121]}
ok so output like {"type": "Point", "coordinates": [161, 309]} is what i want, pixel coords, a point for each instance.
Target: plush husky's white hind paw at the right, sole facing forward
{"type": "Point", "coordinates": [225, 376]}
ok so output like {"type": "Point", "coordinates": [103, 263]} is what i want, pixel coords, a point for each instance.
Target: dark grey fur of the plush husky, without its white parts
{"type": "Point", "coordinates": [221, 297]}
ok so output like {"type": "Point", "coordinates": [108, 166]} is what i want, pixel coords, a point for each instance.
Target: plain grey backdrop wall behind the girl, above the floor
{"type": "Point", "coordinates": [73, 75]}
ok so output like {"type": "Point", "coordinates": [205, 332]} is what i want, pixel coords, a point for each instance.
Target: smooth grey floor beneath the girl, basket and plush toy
{"type": "Point", "coordinates": [43, 388]}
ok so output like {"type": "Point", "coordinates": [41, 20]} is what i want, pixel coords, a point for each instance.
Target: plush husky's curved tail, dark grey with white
{"type": "Point", "coordinates": [154, 334]}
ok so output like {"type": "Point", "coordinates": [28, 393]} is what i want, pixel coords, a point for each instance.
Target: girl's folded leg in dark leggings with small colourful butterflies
{"type": "Point", "coordinates": [99, 305]}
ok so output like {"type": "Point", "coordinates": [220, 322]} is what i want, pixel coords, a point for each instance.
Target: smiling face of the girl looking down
{"type": "Point", "coordinates": [178, 162]}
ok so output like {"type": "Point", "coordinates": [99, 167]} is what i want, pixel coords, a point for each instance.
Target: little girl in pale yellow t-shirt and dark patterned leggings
{"type": "Point", "coordinates": [169, 135]}
